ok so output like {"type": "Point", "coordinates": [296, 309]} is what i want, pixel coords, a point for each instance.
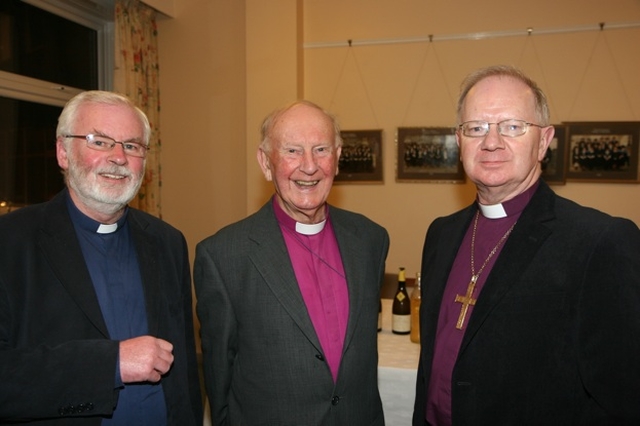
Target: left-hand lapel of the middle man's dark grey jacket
{"type": "Point", "coordinates": [272, 260]}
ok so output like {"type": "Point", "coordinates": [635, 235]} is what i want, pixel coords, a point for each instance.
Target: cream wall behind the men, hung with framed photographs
{"type": "Point", "coordinates": [226, 64]}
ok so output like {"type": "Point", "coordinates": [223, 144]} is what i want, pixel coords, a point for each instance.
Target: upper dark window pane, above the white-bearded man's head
{"type": "Point", "coordinates": [41, 45]}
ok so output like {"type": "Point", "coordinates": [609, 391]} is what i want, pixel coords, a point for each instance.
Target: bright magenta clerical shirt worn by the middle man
{"type": "Point", "coordinates": [317, 264]}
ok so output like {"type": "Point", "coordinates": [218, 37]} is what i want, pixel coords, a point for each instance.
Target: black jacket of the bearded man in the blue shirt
{"type": "Point", "coordinates": [55, 352]}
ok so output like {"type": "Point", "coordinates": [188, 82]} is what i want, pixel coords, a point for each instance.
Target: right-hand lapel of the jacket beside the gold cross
{"type": "Point", "coordinates": [527, 237]}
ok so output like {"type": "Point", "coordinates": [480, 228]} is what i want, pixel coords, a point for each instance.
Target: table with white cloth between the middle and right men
{"type": "Point", "coordinates": [397, 369]}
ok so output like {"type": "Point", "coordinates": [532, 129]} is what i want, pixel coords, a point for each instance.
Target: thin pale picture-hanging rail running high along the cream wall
{"type": "Point", "coordinates": [471, 36]}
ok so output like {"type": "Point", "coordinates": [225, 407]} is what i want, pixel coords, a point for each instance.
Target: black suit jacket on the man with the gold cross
{"type": "Point", "coordinates": [554, 337]}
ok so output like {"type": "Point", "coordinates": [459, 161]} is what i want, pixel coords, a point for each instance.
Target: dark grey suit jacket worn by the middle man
{"type": "Point", "coordinates": [262, 359]}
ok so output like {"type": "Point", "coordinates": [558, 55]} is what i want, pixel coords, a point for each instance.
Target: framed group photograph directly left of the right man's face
{"type": "Point", "coordinates": [428, 154]}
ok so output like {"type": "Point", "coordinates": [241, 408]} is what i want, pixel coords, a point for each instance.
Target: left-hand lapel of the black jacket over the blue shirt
{"type": "Point", "coordinates": [59, 243]}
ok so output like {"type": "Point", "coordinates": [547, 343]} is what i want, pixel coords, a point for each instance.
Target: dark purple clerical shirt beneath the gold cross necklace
{"type": "Point", "coordinates": [448, 337]}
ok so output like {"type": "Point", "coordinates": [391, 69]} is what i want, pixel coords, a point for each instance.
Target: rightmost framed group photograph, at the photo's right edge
{"type": "Point", "coordinates": [603, 151]}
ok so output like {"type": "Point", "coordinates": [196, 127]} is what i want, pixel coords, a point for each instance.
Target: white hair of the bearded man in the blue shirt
{"type": "Point", "coordinates": [69, 114]}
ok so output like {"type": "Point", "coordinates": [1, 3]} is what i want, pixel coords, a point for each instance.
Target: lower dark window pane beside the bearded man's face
{"type": "Point", "coordinates": [29, 171]}
